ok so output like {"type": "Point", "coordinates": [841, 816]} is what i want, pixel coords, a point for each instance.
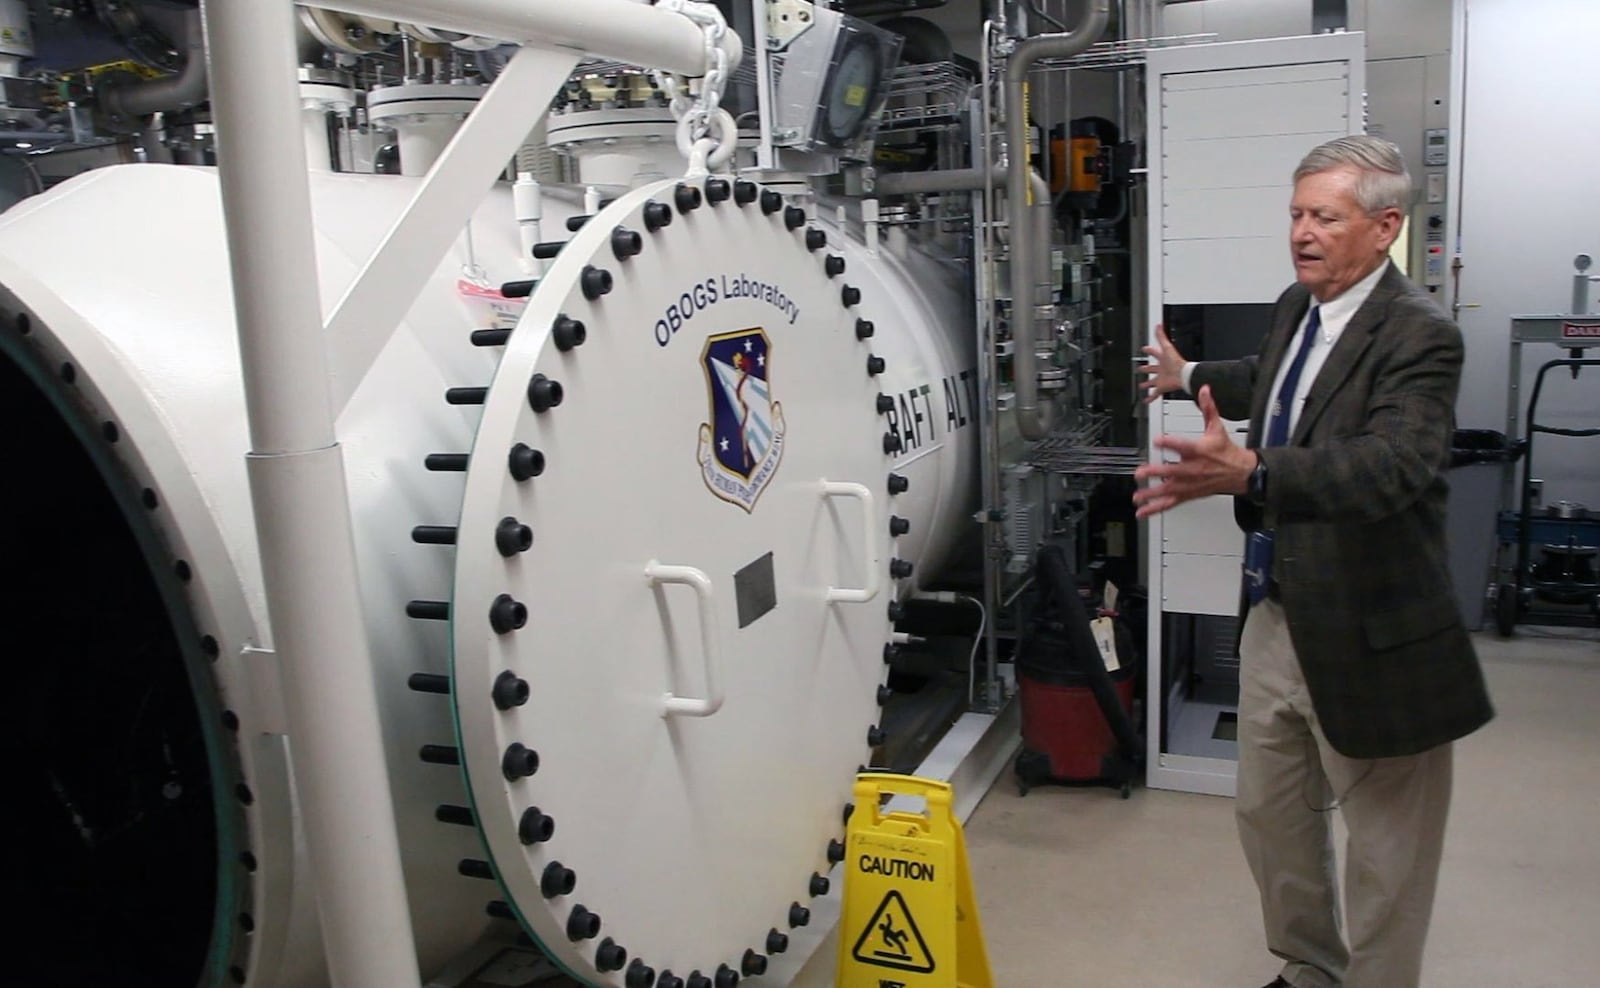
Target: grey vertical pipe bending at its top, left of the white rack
{"type": "Point", "coordinates": [1033, 421]}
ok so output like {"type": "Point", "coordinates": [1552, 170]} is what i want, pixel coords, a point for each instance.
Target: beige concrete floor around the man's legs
{"type": "Point", "coordinates": [1081, 888]}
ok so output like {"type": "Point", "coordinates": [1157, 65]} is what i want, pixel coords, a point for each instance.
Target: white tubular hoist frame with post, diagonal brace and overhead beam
{"type": "Point", "coordinates": [297, 469]}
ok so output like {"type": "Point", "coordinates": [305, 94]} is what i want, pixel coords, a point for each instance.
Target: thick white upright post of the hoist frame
{"type": "Point", "coordinates": [298, 490]}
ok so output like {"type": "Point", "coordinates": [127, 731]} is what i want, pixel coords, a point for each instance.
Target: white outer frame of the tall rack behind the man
{"type": "Point", "coordinates": [1170, 771]}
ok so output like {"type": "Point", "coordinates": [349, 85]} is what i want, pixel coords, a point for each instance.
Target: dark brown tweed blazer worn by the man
{"type": "Point", "coordinates": [1358, 506]}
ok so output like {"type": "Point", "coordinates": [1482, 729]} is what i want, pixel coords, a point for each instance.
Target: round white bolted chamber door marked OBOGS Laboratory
{"type": "Point", "coordinates": [673, 586]}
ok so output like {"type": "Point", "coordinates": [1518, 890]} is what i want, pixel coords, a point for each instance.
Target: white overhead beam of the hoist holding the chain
{"type": "Point", "coordinates": [625, 31]}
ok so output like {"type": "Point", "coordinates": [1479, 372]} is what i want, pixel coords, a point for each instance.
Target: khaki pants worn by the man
{"type": "Point", "coordinates": [1289, 783]}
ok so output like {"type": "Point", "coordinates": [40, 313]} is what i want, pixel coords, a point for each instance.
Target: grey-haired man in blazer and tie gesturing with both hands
{"type": "Point", "coordinates": [1356, 671]}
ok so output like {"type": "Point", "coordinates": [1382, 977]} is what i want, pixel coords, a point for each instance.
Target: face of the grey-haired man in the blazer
{"type": "Point", "coordinates": [1334, 242]}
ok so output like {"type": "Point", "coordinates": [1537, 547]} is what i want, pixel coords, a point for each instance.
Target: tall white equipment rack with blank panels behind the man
{"type": "Point", "coordinates": [1228, 125]}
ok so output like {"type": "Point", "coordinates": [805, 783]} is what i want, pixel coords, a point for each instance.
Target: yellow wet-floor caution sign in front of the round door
{"type": "Point", "coordinates": [911, 918]}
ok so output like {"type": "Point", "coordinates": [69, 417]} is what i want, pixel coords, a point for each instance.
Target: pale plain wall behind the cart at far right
{"type": "Point", "coordinates": [1530, 202]}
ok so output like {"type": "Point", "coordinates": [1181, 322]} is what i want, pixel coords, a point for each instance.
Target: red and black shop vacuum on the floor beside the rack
{"type": "Point", "coordinates": [1078, 722]}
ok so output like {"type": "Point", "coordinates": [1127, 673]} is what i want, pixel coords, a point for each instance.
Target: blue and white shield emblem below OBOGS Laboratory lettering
{"type": "Point", "coordinates": [742, 445]}
